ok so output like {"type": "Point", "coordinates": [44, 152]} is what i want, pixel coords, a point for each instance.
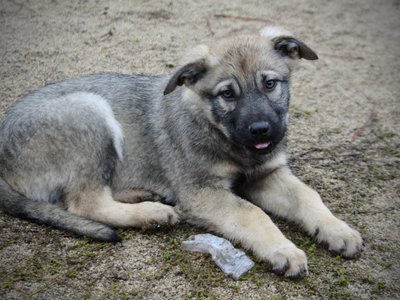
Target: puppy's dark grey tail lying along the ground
{"type": "Point", "coordinates": [17, 205]}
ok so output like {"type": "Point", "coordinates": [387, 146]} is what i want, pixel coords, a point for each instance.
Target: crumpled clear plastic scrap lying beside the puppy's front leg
{"type": "Point", "coordinates": [230, 260]}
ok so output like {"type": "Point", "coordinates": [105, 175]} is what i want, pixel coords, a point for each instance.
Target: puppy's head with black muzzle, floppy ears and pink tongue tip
{"type": "Point", "coordinates": [241, 85]}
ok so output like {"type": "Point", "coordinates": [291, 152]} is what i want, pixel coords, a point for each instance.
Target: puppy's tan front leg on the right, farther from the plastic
{"type": "Point", "coordinates": [283, 194]}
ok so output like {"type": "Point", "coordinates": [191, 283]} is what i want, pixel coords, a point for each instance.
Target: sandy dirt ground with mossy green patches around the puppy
{"type": "Point", "coordinates": [344, 141]}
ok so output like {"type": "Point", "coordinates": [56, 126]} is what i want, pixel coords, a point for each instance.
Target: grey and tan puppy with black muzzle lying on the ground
{"type": "Point", "coordinates": [207, 143]}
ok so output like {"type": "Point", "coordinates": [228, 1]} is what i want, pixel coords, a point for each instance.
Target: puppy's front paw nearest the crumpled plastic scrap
{"type": "Point", "coordinates": [289, 261]}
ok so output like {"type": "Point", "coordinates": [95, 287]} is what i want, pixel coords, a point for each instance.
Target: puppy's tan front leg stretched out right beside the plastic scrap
{"type": "Point", "coordinates": [241, 221]}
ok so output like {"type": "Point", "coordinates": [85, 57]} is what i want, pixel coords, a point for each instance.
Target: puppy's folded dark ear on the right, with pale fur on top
{"type": "Point", "coordinates": [287, 45]}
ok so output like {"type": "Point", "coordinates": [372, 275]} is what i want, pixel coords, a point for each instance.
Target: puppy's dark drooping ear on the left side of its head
{"type": "Point", "coordinates": [188, 74]}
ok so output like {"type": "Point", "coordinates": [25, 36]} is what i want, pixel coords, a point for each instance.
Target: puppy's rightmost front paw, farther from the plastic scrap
{"type": "Point", "coordinates": [340, 238]}
